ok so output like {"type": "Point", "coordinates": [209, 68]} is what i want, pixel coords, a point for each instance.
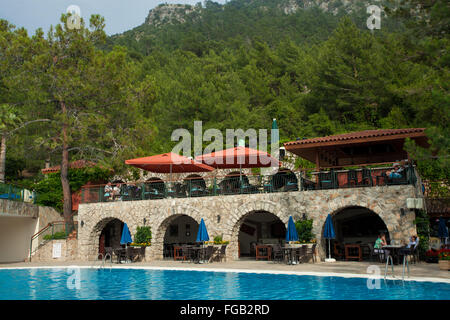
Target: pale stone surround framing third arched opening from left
{"type": "Point", "coordinates": [236, 219]}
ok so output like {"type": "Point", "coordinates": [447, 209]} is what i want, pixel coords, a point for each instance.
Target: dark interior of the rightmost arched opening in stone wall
{"type": "Point", "coordinates": [356, 229]}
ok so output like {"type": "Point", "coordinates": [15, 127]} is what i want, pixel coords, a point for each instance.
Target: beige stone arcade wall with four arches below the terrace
{"type": "Point", "coordinates": [224, 215]}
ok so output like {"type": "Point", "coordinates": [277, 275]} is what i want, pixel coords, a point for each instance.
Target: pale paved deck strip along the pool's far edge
{"type": "Point", "coordinates": [420, 271]}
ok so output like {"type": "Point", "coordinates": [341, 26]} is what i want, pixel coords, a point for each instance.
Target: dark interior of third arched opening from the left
{"type": "Point", "coordinates": [259, 228]}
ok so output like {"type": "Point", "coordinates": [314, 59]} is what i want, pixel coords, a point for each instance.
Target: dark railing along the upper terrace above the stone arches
{"type": "Point", "coordinates": [283, 181]}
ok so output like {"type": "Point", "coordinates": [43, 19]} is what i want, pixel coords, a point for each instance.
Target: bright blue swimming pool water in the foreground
{"type": "Point", "coordinates": [137, 284]}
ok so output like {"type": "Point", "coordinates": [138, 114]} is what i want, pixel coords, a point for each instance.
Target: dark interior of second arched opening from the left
{"type": "Point", "coordinates": [181, 230]}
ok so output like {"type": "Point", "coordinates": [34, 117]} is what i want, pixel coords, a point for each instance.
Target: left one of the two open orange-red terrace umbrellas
{"type": "Point", "coordinates": [169, 163]}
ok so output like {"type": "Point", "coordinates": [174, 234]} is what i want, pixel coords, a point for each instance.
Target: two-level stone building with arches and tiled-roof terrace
{"type": "Point", "coordinates": [360, 210]}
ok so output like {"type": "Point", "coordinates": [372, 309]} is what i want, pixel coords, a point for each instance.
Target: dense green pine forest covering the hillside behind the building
{"type": "Point", "coordinates": [233, 66]}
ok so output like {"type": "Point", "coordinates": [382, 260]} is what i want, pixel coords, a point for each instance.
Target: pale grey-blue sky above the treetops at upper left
{"type": "Point", "coordinates": [120, 15]}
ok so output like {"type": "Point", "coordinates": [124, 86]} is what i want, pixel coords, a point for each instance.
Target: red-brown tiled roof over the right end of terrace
{"type": "Point", "coordinates": [357, 135]}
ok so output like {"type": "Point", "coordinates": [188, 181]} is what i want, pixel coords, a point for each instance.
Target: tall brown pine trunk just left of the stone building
{"type": "Point", "coordinates": [67, 194]}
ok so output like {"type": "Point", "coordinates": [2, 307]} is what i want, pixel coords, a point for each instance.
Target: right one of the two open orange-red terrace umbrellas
{"type": "Point", "coordinates": [238, 157]}
